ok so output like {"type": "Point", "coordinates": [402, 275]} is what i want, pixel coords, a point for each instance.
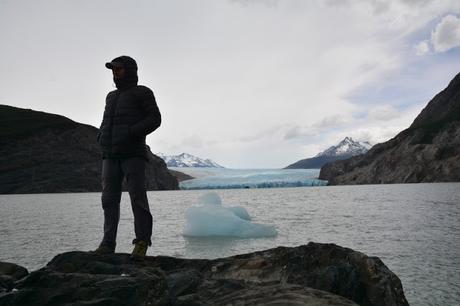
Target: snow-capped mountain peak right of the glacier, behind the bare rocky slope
{"type": "Point", "coordinates": [345, 149]}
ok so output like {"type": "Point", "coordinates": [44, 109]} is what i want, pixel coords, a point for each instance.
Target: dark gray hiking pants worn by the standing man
{"type": "Point", "coordinates": [113, 172]}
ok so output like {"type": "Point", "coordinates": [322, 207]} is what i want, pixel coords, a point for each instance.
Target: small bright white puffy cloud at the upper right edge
{"type": "Point", "coordinates": [446, 35]}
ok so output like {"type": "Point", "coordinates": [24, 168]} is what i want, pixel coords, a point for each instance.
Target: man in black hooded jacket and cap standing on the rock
{"type": "Point", "coordinates": [130, 114]}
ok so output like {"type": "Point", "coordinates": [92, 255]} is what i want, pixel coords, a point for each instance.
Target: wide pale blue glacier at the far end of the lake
{"type": "Point", "coordinates": [250, 178]}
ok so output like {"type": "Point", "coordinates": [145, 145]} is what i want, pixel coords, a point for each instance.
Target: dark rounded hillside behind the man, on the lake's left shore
{"type": "Point", "coordinates": [47, 153]}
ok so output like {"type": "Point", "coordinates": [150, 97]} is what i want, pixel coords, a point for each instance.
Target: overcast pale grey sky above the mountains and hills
{"type": "Point", "coordinates": [247, 83]}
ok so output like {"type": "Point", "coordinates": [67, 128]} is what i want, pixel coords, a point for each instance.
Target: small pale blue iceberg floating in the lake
{"type": "Point", "coordinates": [211, 219]}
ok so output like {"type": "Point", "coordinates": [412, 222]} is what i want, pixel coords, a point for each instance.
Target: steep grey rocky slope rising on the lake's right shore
{"type": "Point", "coordinates": [428, 151]}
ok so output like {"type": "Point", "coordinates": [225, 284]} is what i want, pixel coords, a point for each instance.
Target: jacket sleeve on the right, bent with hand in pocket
{"type": "Point", "coordinates": [152, 116]}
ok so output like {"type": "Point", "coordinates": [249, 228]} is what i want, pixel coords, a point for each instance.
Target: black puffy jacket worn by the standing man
{"type": "Point", "coordinates": [130, 115]}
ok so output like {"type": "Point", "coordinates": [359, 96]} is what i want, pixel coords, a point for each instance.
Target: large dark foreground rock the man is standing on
{"type": "Point", "coordinates": [313, 274]}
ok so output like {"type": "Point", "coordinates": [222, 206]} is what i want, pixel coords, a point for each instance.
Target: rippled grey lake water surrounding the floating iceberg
{"type": "Point", "coordinates": [413, 228]}
